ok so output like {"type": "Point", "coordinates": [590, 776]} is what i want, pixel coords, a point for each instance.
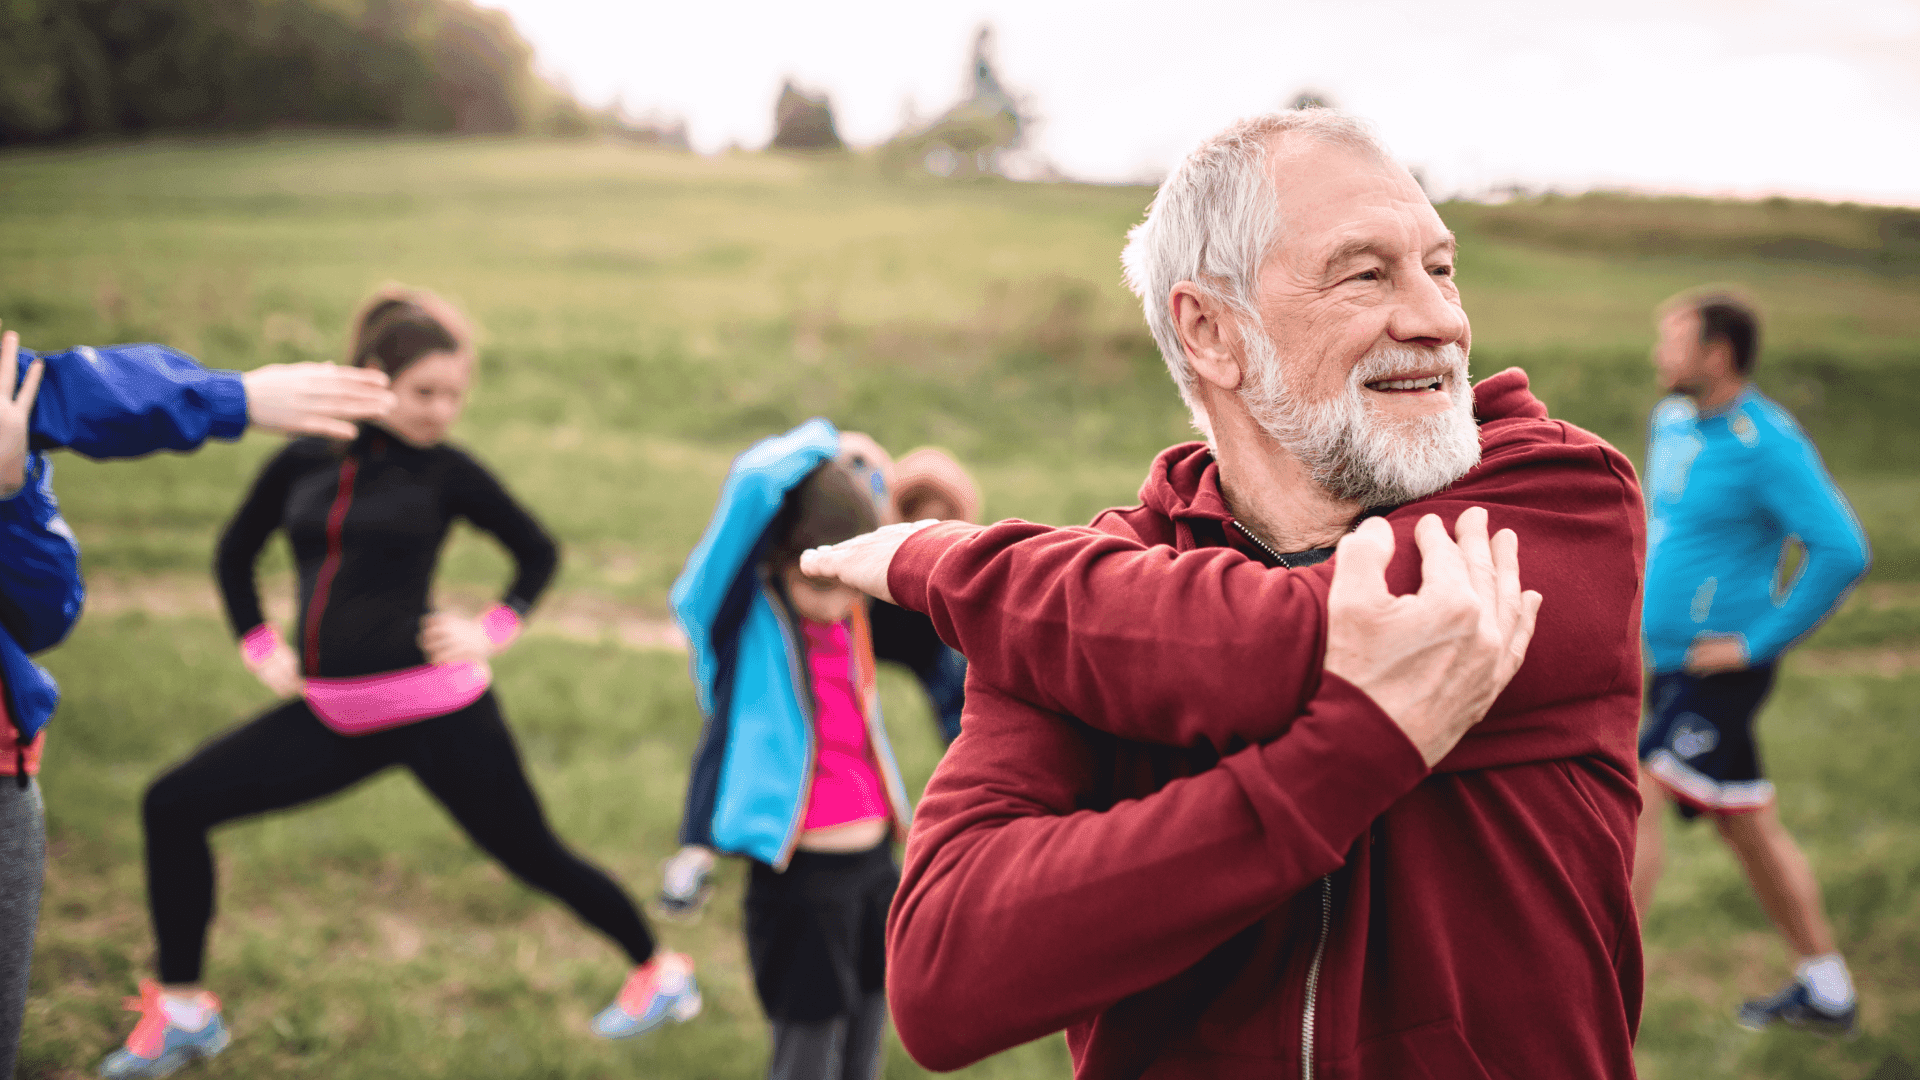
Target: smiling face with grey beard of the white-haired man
{"type": "Point", "coordinates": [1360, 360]}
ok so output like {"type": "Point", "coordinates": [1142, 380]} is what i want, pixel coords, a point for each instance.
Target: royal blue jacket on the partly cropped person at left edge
{"type": "Point", "coordinates": [110, 403]}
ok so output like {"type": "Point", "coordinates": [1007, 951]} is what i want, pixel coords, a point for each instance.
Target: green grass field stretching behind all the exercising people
{"type": "Point", "coordinates": [648, 316]}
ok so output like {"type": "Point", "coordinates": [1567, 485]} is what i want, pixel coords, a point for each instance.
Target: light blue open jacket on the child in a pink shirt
{"type": "Point", "coordinates": [754, 770]}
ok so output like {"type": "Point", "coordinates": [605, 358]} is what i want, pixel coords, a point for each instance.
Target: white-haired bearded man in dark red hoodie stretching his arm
{"type": "Point", "coordinates": [1232, 806]}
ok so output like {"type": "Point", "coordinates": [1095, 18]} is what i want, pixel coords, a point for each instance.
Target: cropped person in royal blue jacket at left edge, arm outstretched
{"type": "Point", "coordinates": [108, 403]}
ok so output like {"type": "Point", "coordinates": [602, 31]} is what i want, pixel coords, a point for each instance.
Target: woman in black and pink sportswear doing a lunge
{"type": "Point", "coordinates": [373, 679]}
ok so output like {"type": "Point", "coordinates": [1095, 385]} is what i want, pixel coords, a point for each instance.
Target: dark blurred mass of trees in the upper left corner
{"type": "Point", "coordinates": [89, 68]}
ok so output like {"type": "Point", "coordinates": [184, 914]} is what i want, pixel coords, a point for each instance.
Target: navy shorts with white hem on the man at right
{"type": "Point", "coordinates": [1698, 741]}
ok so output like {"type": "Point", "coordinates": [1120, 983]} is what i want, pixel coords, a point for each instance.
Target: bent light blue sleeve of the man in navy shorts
{"type": "Point", "coordinates": [1802, 497]}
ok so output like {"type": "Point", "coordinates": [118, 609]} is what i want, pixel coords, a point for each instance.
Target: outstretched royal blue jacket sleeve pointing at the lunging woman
{"type": "Point", "coordinates": [132, 401]}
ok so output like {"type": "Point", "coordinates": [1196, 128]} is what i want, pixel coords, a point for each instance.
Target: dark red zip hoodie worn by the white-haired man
{"type": "Point", "coordinates": [1155, 777]}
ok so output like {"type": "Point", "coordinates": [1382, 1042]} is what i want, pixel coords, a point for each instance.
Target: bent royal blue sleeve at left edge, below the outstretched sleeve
{"type": "Point", "coordinates": [41, 585]}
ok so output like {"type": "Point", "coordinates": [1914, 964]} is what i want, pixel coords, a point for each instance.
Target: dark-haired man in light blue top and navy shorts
{"type": "Point", "coordinates": [1733, 481]}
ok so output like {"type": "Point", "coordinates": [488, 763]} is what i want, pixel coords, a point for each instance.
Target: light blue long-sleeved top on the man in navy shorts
{"type": "Point", "coordinates": [1725, 493]}
